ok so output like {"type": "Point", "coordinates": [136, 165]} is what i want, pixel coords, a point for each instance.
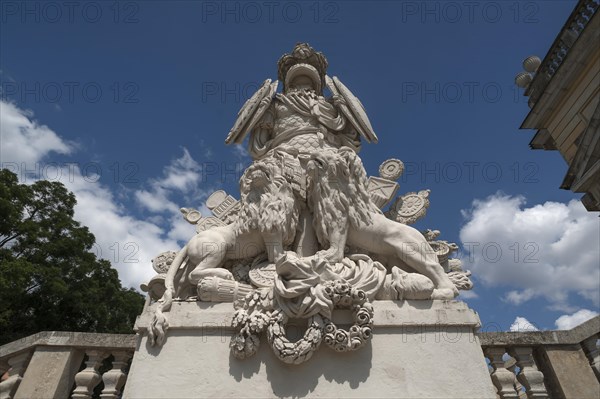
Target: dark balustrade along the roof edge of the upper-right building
{"type": "Point", "coordinates": [578, 20]}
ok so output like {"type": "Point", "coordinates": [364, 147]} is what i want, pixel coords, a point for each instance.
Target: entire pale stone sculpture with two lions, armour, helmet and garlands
{"type": "Point", "coordinates": [308, 235]}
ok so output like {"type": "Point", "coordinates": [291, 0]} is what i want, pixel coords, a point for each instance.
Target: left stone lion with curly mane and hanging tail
{"type": "Point", "coordinates": [267, 223]}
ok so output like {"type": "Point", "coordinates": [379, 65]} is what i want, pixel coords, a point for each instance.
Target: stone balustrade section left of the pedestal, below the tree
{"type": "Point", "coordinates": [53, 364]}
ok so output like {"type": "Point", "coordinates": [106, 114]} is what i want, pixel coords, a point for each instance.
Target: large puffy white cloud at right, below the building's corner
{"type": "Point", "coordinates": [549, 250]}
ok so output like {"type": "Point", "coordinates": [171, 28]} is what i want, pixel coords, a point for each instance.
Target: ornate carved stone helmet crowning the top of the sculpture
{"type": "Point", "coordinates": [303, 60]}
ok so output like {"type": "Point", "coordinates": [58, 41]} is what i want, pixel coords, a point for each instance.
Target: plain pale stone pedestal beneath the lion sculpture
{"type": "Point", "coordinates": [419, 349]}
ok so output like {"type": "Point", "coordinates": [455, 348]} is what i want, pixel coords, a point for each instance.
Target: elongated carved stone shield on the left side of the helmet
{"type": "Point", "coordinates": [251, 112]}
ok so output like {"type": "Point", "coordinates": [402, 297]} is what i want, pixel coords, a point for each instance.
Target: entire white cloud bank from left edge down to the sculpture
{"type": "Point", "coordinates": [127, 241]}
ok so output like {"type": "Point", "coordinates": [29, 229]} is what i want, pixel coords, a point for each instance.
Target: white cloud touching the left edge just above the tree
{"type": "Point", "coordinates": [24, 140]}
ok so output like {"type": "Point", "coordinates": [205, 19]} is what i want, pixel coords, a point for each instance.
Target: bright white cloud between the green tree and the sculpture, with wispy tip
{"type": "Point", "coordinates": [127, 241]}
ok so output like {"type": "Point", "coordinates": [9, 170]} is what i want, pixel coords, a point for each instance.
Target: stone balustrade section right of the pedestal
{"type": "Point", "coordinates": [545, 364]}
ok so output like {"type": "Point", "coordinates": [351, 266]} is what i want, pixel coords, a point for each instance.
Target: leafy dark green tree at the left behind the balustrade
{"type": "Point", "coordinates": [49, 278]}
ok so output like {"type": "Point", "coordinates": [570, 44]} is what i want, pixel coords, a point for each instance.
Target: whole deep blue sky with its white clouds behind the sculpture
{"type": "Point", "coordinates": [129, 103]}
